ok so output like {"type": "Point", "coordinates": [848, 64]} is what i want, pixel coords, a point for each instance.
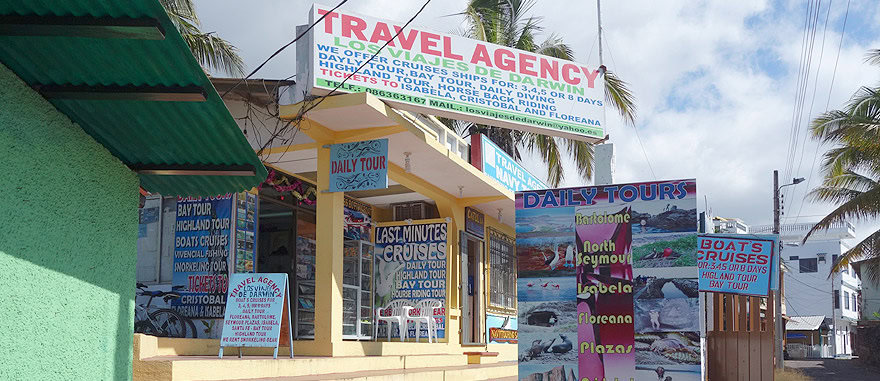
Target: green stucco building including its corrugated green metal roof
{"type": "Point", "coordinates": [97, 99]}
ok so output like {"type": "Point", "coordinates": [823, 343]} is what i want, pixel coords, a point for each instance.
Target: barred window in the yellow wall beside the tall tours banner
{"type": "Point", "coordinates": [502, 270]}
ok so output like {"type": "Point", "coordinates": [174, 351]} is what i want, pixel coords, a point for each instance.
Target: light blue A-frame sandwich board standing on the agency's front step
{"type": "Point", "coordinates": [255, 310]}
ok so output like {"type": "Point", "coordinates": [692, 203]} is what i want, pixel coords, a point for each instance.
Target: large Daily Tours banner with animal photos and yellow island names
{"type": "Point", "coordinates": [607, 282]}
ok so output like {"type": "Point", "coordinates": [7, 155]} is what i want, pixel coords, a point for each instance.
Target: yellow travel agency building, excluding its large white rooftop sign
{"type": "Point", "coordinates": [439, 235]}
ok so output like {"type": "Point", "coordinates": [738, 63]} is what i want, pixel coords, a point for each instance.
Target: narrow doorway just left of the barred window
{"type": "Point", "coordinates": [471, 295]}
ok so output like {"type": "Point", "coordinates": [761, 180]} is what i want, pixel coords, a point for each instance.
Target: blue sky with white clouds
{"type": "Point", "coordinates": [715, 82]}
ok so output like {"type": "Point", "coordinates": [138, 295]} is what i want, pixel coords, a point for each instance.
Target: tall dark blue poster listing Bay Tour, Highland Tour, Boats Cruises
{"type": "Point", "coordinates": [200, 272]}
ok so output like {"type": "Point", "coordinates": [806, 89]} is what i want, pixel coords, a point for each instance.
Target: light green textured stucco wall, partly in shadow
{"type": "Point", "coordinates": [68, 245]}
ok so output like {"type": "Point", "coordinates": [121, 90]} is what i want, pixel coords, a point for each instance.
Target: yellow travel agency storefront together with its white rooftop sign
{"type": "Point", "coordinates": [371, 205]}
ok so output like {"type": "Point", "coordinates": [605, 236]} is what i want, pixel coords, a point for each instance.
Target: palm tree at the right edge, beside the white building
{"type": "Point", "coordinates": [852, 170]}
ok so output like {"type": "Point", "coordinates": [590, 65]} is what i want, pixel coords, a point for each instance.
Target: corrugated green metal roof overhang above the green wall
{"type": "Point", "coordinates": [139, 132]}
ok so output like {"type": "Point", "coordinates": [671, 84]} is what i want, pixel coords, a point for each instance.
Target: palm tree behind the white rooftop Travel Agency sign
{"type": "Point", "coordinates": [504, 22]}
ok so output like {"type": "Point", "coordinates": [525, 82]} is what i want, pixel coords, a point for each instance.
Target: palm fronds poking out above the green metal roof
{"type": "Point", "coordinates": [210, 50]}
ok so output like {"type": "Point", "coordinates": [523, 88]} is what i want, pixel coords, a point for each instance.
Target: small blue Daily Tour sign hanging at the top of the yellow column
{"type": "Point", "coordinates": [359, 165]}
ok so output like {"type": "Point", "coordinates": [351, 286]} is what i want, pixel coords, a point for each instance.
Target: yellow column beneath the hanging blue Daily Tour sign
{"type": "Point", "coordinates": [328, 267]}
